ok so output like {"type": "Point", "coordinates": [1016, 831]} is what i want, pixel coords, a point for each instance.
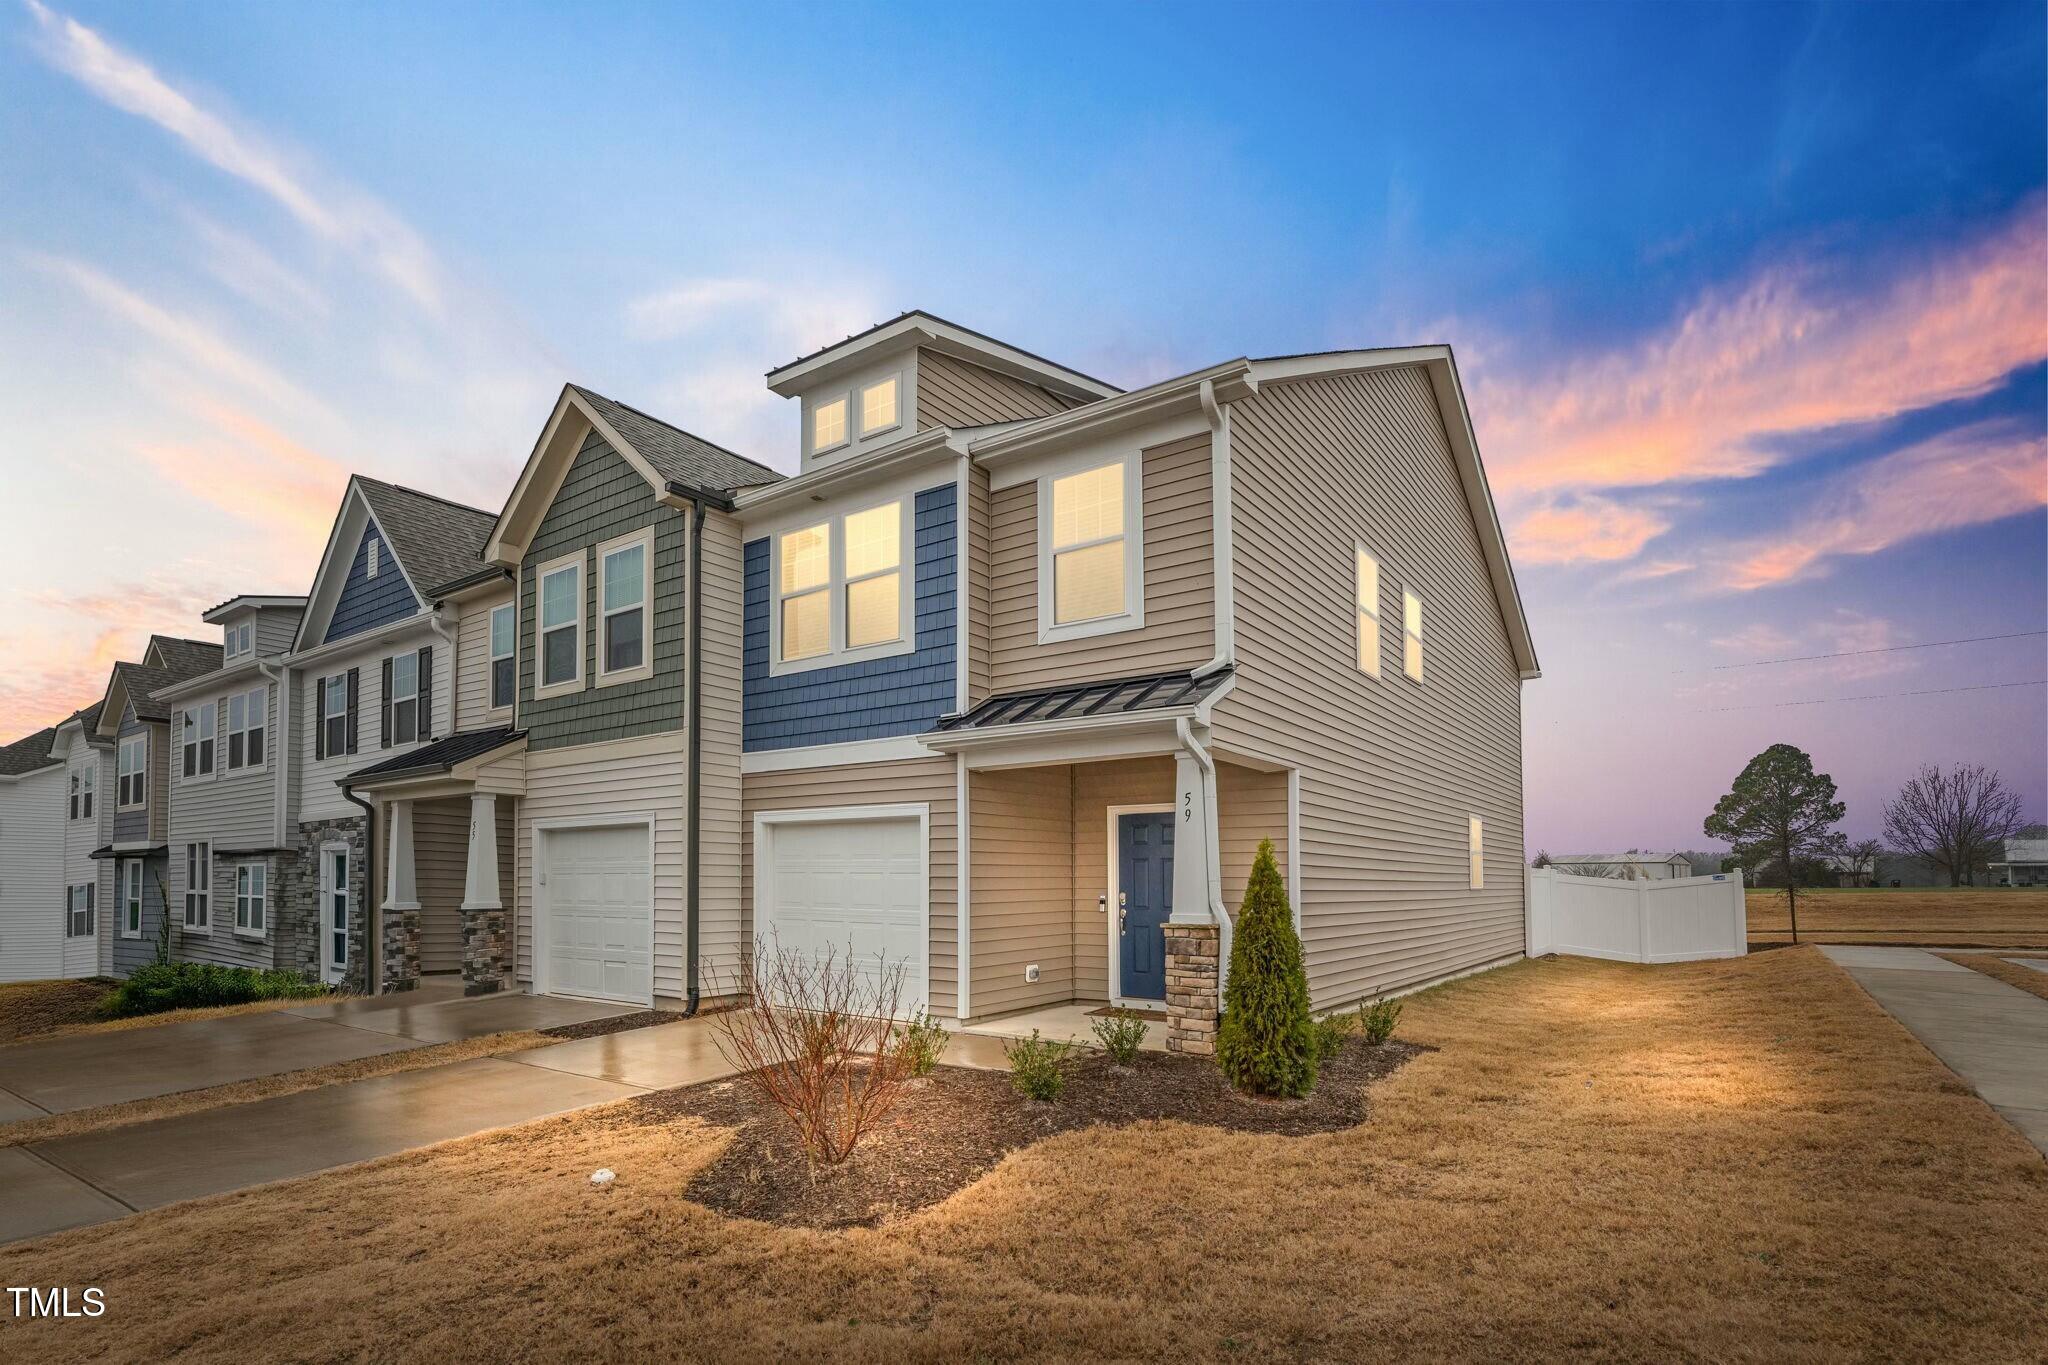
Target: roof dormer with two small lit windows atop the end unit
{"type": "Point", "coordinates": [916, 373]}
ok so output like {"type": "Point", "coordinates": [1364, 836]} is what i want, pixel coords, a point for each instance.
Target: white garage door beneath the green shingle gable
{"type": "Point", "coordinates": [599, 926]}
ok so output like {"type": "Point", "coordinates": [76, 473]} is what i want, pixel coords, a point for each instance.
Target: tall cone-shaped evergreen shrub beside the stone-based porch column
{"type": "Point", "coordinates": [1267, 1043]}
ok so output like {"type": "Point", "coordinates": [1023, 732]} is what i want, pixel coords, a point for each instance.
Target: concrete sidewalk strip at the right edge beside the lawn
{"type": "Point", "coordinates": [1990, 1034]}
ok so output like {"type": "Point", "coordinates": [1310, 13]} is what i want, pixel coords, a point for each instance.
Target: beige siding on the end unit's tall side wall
{"type": "Point", "coordinates": [1390, 770]}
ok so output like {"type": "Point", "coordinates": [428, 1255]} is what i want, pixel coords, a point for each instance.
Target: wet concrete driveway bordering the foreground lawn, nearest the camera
{"type": "Point", "coordinates": [95, 1178]}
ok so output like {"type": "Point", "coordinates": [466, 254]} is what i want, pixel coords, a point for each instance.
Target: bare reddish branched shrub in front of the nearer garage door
{"type": "Point", "coordinates": [814, 1037]}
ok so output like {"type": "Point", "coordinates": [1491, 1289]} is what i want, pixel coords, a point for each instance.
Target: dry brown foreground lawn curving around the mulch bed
{"type": "Point", "coordinates": [1701, 1161]}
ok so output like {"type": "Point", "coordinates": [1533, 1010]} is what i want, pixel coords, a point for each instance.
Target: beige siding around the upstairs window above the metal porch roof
{"type": "Point", "coordinates": [1181, 586]}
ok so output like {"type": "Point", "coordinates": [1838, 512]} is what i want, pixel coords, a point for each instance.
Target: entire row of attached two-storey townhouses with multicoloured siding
{"type": "Point", "coordinates": [998, 693]}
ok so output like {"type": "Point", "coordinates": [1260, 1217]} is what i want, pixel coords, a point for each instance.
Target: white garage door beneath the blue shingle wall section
{"type": "Point", "coordinates": [855, 887]}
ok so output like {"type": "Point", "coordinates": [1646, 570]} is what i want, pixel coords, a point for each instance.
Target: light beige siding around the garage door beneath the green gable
{"type": "Point", "coordinates": [628, 779]}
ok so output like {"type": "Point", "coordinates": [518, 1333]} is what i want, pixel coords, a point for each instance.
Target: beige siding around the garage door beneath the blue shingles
{"type": "Point", "coordinates": [878, 785]}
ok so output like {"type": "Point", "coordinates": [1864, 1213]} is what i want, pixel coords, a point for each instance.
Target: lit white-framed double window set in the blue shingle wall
{"type": "Point", "coordinates": [843, 588]}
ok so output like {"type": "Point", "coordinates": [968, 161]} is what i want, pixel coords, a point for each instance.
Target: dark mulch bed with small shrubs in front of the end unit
{"type": "Point", "coordinates": [957, 1125]}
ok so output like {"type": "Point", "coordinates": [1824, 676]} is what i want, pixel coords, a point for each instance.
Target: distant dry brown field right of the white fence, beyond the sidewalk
{"type": "Point", "coordinates": [1963, 918]}
